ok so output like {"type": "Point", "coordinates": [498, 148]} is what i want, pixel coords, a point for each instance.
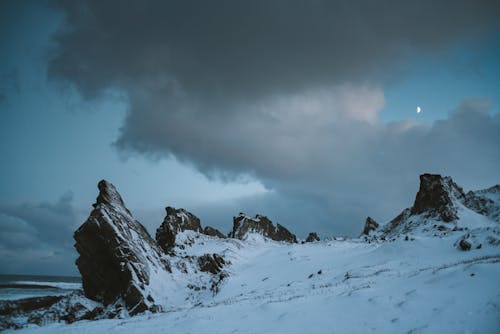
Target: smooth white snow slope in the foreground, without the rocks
{"type": "Point", "coordinates": [424, 285]}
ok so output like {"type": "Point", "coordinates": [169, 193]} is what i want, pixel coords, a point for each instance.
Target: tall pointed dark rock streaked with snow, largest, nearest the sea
{"type": "Point", "coordinates": [117, 254]}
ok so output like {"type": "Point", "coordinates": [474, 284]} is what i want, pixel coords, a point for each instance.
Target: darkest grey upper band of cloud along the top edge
{"type": "Point", "coordinates": [240, 49]}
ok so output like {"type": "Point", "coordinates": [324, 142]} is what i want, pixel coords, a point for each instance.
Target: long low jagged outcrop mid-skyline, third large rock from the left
{"type": "Point", "coordinates": [243, 225]}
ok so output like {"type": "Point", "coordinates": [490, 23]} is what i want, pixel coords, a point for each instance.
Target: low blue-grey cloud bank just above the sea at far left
{"type": "Point", "coordinates": [37, 237]}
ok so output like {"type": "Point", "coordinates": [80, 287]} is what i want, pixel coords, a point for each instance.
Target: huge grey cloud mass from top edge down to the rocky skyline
{"type": "Point", "coordinates": [288, 91]}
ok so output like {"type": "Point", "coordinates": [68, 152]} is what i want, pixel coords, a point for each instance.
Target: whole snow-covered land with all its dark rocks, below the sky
{"type": "Point", "coordinates": [435, 268]}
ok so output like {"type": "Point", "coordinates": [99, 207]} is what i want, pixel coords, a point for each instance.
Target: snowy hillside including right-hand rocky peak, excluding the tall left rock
{"type": "Point", "coordinates": [411, 275]}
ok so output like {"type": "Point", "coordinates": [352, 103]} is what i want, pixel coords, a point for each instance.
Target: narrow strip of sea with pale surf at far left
{"type": "Point", "coordinates": [14, 287]}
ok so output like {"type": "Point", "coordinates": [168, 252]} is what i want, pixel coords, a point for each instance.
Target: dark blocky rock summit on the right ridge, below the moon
{"type": "Point", "coordinates": [435, 197]}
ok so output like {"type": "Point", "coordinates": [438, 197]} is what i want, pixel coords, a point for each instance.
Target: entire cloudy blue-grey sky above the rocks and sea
{"type": "Point", "coordinates": [302, 111]}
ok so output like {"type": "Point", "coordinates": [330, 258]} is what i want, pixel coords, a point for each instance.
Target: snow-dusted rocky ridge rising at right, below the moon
{"type": "Point", "coordinates": [441, 207]}
